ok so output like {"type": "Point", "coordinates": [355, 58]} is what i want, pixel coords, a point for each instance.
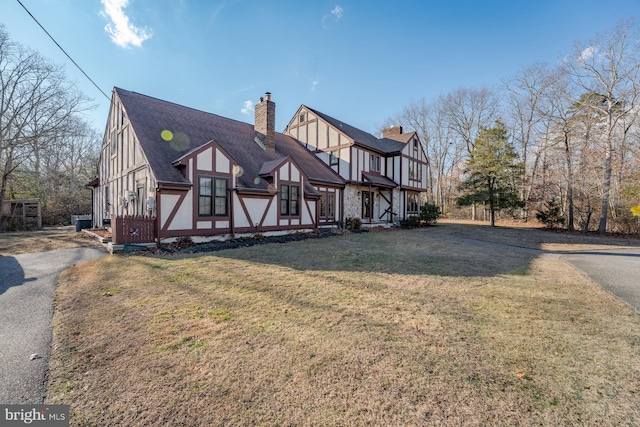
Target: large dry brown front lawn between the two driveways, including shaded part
{"type": "Point", "coordinates": [397, 328]}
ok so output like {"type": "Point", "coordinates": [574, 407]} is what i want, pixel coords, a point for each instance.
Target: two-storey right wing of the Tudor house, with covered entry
{"type": "Point", "coordinates": [384, 177]}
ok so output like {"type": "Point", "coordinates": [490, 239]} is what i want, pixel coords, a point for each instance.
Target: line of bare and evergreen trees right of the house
{"type": "Point", "coordinates": [573, 127]}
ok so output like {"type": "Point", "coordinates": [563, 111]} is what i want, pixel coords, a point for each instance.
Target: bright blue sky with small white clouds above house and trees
{"type": "Point", "coordinates": [359, 61]}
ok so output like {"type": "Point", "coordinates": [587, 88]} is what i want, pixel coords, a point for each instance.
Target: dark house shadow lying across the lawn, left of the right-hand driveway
{"type": "Point", "coordinates": [406, 252]}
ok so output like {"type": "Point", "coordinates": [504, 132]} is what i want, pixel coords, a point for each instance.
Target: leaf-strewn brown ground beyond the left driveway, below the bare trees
{"type": "Point", "coordinates": [42, 240]}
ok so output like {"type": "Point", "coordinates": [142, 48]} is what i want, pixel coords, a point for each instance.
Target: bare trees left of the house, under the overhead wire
{"type": "Point", "coordinates": [47, 149]}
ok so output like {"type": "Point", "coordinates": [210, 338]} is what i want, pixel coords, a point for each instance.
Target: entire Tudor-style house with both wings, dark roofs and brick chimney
{"type": "Point", "coordinates": [210, 177]}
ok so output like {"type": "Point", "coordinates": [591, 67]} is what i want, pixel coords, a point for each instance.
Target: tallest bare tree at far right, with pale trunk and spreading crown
{"type": "Point", "coordinates": [608, 66]}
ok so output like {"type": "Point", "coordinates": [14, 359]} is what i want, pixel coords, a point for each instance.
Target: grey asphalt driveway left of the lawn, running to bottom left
{"type": "Point", "coordinates": [27, 285]}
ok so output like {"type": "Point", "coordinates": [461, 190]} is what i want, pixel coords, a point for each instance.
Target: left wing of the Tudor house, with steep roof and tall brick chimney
{"type": "Point", "coordinates": [203, 175]}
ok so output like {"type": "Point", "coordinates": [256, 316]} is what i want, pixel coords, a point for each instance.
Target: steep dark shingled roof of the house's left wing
{"type": "Point", "coordinates": [191, 128]}
